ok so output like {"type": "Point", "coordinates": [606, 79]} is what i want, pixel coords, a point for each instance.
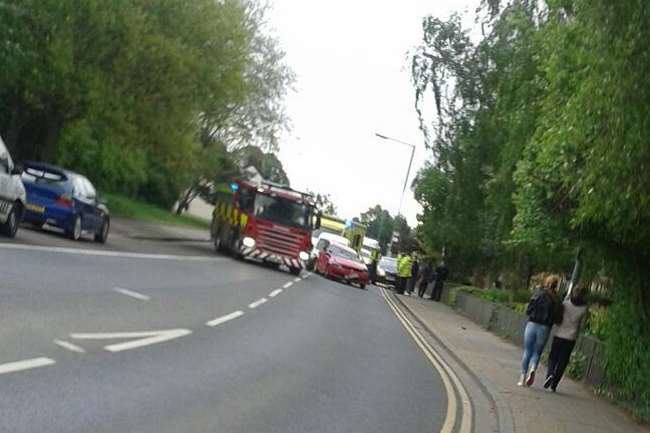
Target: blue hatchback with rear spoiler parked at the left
{"type": "Point", "coordinates": [63, 199]}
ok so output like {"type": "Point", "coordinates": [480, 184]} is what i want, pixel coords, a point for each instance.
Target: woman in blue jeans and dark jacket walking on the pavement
{"type": "Point", "coordinates": [544, 309]}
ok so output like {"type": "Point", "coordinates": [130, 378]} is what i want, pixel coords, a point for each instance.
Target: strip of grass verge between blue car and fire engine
{"type": "Point", "coordinates": [125, 207]}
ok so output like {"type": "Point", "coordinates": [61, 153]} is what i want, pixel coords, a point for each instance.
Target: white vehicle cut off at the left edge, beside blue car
{"type": "Point", "coordinates": [12, 194]}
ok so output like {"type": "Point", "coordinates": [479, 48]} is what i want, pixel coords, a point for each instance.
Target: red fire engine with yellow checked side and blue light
{"type": "Point", "coordinates": [266, 221]}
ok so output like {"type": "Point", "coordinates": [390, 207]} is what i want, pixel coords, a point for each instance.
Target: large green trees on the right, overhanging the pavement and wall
{"type": "Point", "coordinates": [541, 146]}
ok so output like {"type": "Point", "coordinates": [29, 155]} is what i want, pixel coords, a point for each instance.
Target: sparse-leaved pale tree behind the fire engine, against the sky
{"type": "Point", "coordinates": [256, 120]}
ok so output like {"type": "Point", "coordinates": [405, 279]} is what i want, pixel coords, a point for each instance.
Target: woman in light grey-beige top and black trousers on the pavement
{"type": "Point", "coordinates": [566, 333]}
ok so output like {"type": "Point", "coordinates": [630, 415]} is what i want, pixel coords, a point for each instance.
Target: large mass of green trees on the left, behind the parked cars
{"type": "Point", "coordinates": [143, 97]}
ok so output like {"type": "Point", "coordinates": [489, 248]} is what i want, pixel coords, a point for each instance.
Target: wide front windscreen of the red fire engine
{"type": "Point", "coordinates": [283, 211]}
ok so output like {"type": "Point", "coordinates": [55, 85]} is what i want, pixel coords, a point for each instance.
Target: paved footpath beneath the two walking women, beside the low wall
{"type": "Point", "coordinates": [495, 363]}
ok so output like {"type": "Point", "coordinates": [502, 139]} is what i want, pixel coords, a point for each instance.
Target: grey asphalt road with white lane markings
{"type": "Point", "coordinates": [150, 336]}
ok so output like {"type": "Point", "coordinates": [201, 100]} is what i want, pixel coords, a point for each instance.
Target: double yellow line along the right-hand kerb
{"type": "Point", "coordinates": [449, 378]}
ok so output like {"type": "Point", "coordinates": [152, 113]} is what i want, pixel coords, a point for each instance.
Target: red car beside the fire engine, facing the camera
{"type": "Point", "coordinates": [342, 263]}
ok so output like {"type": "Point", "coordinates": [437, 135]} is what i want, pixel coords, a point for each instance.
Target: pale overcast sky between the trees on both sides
{"type": "Point", "coordinates": [350, 57]}
